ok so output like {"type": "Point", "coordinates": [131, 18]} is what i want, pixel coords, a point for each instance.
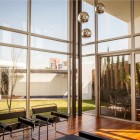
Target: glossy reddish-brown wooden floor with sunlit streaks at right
{"type": "Point", "coordinates": [114, 129]}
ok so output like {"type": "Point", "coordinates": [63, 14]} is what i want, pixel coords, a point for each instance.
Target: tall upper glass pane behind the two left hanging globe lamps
{"type": "Point", "coordinates": [87, 6]}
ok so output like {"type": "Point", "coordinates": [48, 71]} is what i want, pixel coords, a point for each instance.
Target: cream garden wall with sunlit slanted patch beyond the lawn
{"type": "Point", "coordinates": [43, 85]}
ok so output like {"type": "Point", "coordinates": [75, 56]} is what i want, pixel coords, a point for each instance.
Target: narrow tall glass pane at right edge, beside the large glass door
{"type": "Point", "coordinates": [137, 86]}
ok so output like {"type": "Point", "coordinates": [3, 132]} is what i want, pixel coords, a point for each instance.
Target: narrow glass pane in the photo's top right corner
{"type": "Point", "coordinates": [137, 15]}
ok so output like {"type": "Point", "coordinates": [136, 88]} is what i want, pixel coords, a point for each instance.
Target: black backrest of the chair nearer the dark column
{"type": "Point", "coordinates": [43, 108]}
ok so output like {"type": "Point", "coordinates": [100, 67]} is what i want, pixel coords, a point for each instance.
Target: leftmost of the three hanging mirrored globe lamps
{"type": "Point", "coordinates": [83, 17]}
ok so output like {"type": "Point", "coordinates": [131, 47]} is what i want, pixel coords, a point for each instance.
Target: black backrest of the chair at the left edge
{"type": "Point", "coordinates": [14, 113]}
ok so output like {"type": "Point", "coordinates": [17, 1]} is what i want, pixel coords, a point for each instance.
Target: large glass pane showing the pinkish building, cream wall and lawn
{"type": "Point", "coordinates": [49, 78]}
